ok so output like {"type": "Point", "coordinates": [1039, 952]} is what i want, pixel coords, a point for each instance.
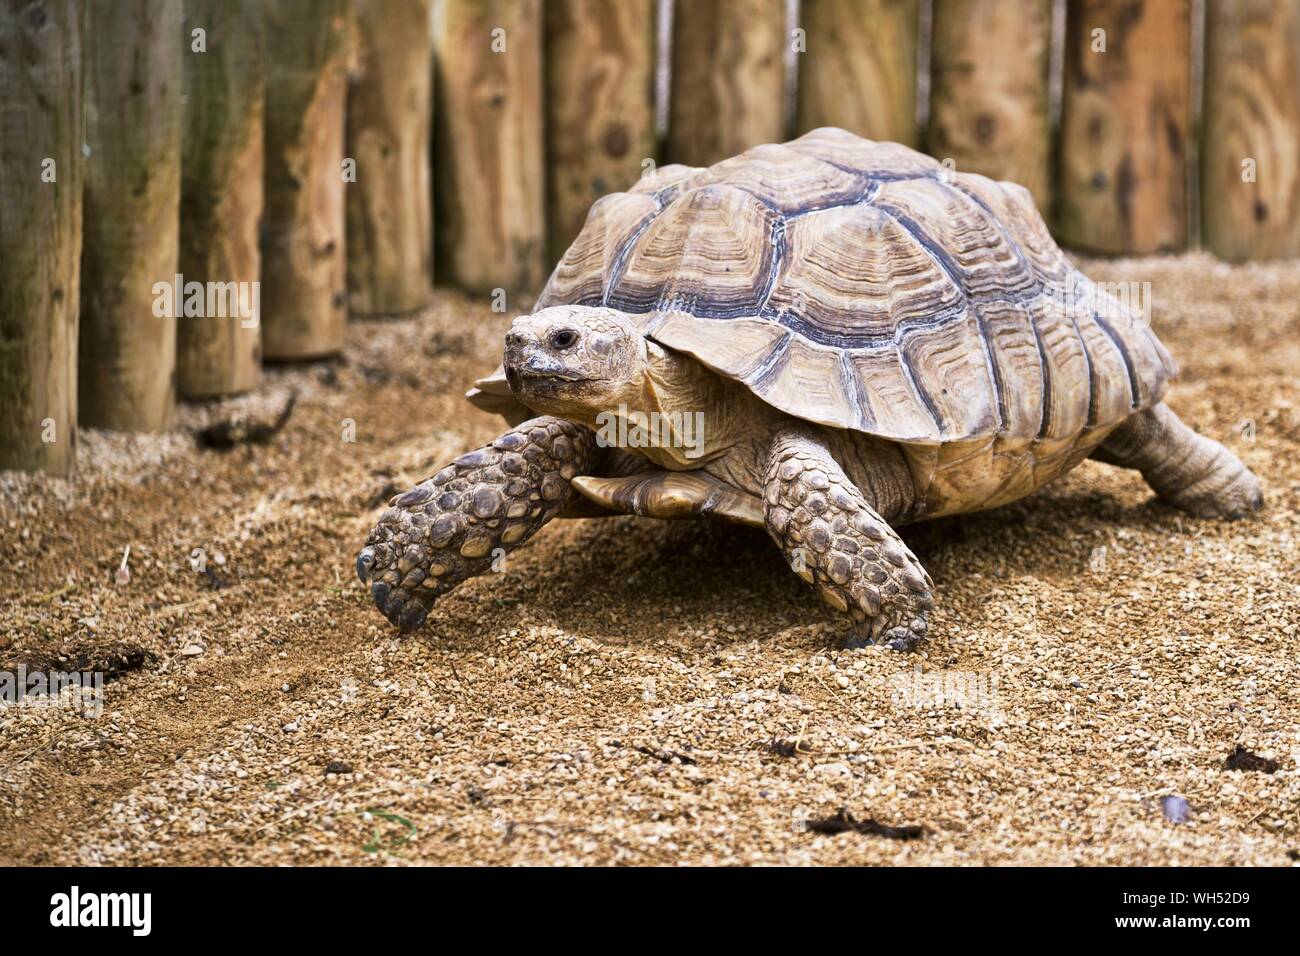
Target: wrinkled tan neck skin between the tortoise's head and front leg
{"type": "Point", "coordinates": [682, 417]}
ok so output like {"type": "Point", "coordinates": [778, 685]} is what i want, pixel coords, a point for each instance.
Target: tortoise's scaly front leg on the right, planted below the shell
{"type": "Point", "coordinates": [837, 542]}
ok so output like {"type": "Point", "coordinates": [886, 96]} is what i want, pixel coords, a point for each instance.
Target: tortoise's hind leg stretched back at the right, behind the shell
{"type": "Point", "coordinates": [1185, 469]}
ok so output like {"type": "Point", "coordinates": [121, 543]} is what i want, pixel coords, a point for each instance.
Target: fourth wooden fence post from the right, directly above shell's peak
{"type": "Point", "coordinates": [860, 68]}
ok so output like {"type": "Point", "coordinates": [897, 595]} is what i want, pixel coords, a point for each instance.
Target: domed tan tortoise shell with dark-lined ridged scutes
{"type": "Point", "coordinates": [865, 287]}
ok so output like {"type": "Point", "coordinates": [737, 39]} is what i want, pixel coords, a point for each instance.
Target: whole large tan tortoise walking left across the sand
{"type": "Point", "coordinates": [826, 339]}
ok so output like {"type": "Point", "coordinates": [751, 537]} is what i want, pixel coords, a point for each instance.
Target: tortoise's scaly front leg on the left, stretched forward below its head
{"type": "Point", "coordinates": [487, 503]}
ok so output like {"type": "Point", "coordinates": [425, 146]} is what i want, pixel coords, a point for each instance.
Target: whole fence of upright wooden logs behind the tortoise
{"type": "Point", "coordinates": [521, 114]}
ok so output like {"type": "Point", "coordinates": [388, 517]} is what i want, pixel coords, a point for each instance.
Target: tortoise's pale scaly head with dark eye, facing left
{"type": "Point", "coordinates": [575, 361]}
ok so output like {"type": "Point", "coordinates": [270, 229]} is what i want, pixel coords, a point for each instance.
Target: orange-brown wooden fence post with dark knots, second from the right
{"type": "Point", "coordinates": [1125, 127]}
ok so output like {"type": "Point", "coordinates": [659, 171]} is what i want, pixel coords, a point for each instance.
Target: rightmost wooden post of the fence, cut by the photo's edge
{"type": "Point", "coordinates": [1251, 132]}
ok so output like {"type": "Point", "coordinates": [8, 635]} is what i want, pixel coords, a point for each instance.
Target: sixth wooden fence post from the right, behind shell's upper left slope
{"type": "Point", "coordinates": [600, 94]}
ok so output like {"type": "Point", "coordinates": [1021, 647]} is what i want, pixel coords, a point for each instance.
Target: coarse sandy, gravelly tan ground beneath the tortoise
{"type": "Point", "coordinates": [644, 693]}
